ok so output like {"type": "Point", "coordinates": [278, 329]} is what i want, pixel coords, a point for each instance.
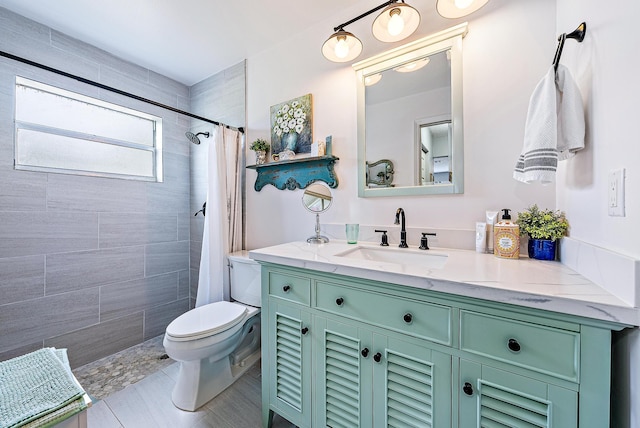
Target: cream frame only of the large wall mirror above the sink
{"type": "Point", "coordinates": [444, 40]}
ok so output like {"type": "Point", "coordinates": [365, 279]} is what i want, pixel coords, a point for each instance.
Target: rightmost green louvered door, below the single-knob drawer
{"type": "Point", "coordinates": [490, 397]}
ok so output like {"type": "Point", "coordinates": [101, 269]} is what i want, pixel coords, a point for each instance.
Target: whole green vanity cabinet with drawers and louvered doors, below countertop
{"type": "Point", "coordinates": [342, 351]}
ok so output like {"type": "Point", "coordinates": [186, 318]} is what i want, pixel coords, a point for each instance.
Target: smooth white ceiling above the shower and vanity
{"type": "Point", "coordinates": [190, 40]}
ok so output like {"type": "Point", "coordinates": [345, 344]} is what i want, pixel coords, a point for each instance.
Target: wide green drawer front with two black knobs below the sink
{"type": "Point", "coordinates": [420, 319]}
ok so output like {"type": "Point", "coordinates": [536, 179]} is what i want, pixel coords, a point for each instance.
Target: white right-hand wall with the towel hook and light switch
{"type": "Point", "coordinates": [606, 68]}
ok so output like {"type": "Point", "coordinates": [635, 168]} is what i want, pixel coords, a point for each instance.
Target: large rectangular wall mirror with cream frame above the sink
{"type": "Point", "coordinates": [410, 129]}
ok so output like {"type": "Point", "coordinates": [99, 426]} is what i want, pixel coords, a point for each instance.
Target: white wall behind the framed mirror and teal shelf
{"type": "Point", "coordinates": [502, 64]}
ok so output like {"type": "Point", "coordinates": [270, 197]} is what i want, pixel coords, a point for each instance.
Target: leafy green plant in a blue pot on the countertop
{"type": "Point", "coordinates": [544, 228]}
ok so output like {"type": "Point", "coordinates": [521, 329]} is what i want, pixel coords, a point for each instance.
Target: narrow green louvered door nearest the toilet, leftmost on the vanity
{"type": "Point", "coordinates": [289, 362]}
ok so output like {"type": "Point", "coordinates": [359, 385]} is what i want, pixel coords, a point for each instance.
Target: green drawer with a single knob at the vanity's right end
{"type": "Point", "coordinates": [544, 349]}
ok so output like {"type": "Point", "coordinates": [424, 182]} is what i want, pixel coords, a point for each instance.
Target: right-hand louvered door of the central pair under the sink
{"type": "Point", "coordinates": [412, 384]}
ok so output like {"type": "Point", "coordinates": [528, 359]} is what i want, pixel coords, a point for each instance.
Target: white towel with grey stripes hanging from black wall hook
{"type": "Point", "coordinates": [554, 129]}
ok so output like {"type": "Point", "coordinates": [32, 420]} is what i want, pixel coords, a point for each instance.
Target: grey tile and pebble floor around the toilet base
{"type": "Point", "coordinates": [134, 402]}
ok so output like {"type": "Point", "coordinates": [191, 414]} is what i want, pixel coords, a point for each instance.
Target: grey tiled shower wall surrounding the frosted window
{"type": "Point", "coordinates": [94, 265]}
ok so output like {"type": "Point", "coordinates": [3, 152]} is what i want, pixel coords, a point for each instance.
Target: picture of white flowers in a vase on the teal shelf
{"type": "Point", "coordinates": [291, 125]}
